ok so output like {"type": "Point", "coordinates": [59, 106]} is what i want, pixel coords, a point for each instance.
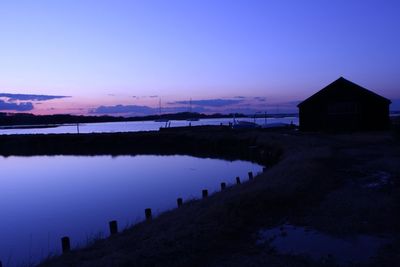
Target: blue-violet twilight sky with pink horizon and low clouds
{"type": "Point", "coordinates": [122, 57]}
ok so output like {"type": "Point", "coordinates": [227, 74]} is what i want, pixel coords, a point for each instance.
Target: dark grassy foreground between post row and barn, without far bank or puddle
{"type": "Point", "coordinates": [318, 182]}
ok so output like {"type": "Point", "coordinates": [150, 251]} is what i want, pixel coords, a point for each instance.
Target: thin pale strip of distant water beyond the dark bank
{"type": "Point", "coordinates": [135, 126]}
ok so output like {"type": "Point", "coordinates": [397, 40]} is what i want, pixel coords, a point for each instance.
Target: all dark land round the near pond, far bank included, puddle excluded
{"type": "Point", "coordinates": [319, 181]}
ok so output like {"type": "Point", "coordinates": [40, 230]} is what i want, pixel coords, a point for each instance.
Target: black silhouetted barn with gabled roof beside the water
{"type": "Point", "coordinates": [344, 106]}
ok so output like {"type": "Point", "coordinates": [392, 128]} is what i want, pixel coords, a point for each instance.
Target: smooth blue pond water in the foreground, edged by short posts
{"type": "Point", "coordinates": [43, 198]}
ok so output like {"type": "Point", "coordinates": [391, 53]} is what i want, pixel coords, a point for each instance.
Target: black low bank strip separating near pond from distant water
{"type": "Point", "coordinates": [207, 141]}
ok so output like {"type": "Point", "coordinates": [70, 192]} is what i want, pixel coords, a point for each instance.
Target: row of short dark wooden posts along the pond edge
{"type": "Point", "coordinates": [113, 225]}
